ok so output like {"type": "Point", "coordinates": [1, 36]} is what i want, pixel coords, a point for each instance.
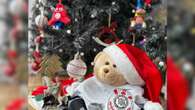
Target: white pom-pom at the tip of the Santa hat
{"type": "Point", "coordinates": [152, 106]}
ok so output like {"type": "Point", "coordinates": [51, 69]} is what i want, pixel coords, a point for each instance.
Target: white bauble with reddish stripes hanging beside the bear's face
{"type": "Point", "coordinates": [77, 67]}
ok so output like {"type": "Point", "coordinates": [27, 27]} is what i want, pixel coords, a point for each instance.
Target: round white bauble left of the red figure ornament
{"type": "Point", "coordinates": [41, 21]}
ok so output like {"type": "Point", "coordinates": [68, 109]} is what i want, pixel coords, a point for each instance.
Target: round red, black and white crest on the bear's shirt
{"type": "Point", "coordinates": [120, 100]}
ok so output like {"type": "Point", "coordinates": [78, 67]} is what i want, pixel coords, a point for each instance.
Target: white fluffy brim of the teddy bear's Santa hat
{"type": "Point", "coordinates": [124, 65]}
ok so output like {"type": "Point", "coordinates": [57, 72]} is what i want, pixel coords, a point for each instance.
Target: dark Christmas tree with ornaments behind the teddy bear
{"type": "Point", "coordinates": [90, 25]}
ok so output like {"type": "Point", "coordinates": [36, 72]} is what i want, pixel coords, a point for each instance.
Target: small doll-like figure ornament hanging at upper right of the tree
{"type": "Point", "coordinates": [138, 22]}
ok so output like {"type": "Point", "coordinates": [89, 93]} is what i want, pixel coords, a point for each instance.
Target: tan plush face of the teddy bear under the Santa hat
{"type": "Point", "coordinates": [106, 71]}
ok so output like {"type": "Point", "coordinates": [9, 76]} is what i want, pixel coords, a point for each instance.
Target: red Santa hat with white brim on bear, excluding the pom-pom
{"type": "Point", "coordinates": [137, 69]}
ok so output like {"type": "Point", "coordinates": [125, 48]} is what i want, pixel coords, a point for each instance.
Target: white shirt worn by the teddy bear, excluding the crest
{"type": "Point", "coordinates": [93, 91]}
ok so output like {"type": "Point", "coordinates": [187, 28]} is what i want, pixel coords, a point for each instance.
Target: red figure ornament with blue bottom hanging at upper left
{"type": "Point", "coordinates": [60, 16]}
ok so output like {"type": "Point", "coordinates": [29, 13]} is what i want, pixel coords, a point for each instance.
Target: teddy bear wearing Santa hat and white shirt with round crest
{"type": "Point", "coordinates": [124, 79]}
